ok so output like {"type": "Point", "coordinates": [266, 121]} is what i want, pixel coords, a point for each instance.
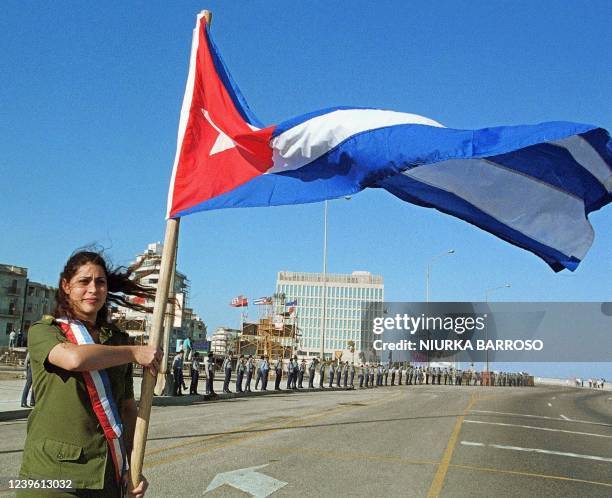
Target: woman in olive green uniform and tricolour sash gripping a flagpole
{"type": "Point", "coordinates": [81, 431]}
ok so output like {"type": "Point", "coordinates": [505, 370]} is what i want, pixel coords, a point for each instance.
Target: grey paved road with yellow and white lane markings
{"type": "Point", "coordinates": [397, 441]}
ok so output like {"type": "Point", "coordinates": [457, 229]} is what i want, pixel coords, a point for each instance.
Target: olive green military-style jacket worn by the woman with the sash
{"type": "Point", "coordinates": [64, 439]}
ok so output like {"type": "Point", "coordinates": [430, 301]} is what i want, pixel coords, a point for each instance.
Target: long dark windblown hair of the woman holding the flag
{"type": "Point", "coordinates": [120, 282]}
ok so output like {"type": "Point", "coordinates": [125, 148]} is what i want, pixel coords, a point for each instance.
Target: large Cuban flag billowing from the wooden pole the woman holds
{"type": "Point", "coordinates": [532, 185]}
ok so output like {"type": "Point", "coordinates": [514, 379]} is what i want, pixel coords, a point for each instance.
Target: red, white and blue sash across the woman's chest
{"type": "Point", "coordinates": [101, 397]}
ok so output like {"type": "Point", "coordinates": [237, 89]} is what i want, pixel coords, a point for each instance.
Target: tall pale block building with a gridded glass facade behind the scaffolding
{"type": "Point", "coordinates": [347, 299]}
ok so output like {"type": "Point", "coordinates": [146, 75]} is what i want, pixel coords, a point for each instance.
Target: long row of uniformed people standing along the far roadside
{"type": "Point", "coordinates": [327, 374]}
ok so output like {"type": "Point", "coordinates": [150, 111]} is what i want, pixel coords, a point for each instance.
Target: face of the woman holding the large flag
{"type": "Point", "coordinates": [87, 291]}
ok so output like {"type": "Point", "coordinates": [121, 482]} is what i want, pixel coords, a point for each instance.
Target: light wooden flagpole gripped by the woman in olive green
{"type": "Point", "coordinates": [161, 299]}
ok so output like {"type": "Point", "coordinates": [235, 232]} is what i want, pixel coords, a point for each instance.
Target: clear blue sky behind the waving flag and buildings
{"type": "Point", "coordinates": [91, 95]}
